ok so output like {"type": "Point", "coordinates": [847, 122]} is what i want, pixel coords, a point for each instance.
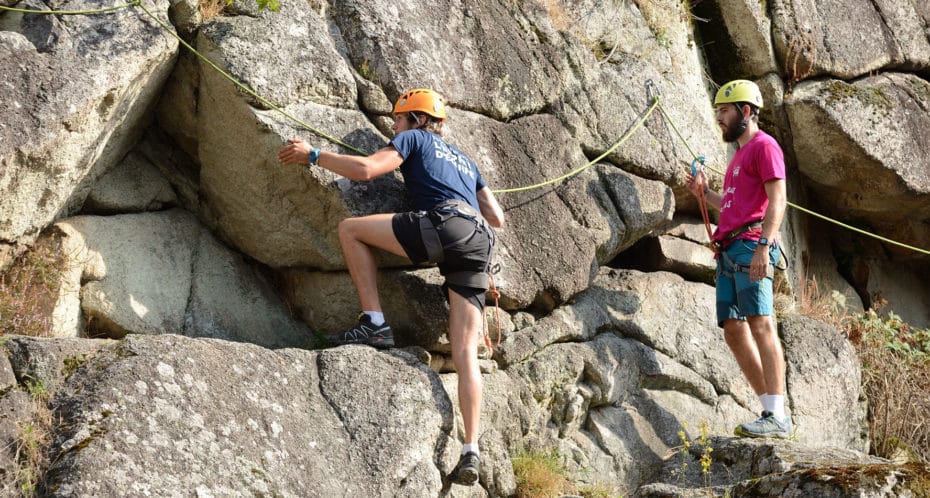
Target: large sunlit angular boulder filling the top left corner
{"type": "Point", "coordinates": [76, 94]}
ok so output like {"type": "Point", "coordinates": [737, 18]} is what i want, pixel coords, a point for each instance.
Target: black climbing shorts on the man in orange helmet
{"type": "Point", "coordinates": [470, 255]}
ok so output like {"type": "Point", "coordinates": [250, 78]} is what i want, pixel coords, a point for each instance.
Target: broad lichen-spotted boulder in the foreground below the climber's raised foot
{"type": "Point", "coordinates": [226, 419]}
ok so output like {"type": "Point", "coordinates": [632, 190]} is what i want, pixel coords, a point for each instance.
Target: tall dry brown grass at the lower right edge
{"type": "Point", "coordinates": [896, 378]}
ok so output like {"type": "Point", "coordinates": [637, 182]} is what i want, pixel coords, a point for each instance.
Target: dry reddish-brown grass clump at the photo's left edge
{"type": "Point", "coordinates": [29, 289]}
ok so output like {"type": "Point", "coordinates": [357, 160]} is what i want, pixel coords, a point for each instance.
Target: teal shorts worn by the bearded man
{"type": "Point", "coordinates": [737, 297]}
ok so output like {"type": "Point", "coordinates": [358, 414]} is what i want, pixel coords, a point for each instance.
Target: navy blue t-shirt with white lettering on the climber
{"type": "Point", "coordinates": [435, 171]}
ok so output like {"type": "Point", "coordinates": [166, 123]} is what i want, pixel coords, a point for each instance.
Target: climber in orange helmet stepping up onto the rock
{"type": "Point", "coordinates": [451, 226]}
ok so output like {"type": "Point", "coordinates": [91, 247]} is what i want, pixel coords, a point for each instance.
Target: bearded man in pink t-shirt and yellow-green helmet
{"type": "Point", "coordinates": [752, 207]}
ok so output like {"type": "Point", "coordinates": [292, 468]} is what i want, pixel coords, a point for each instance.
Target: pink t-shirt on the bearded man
{"type": "Point", "coordinates": [744, 199]}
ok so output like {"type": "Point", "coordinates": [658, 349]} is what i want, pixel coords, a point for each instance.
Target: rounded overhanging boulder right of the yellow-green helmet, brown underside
{"type": "Point", "coordinates": [878, 140]}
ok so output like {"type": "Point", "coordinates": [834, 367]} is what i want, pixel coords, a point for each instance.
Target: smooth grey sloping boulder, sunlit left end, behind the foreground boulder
{"type": "Point", "coordinates": [158, 273]}
